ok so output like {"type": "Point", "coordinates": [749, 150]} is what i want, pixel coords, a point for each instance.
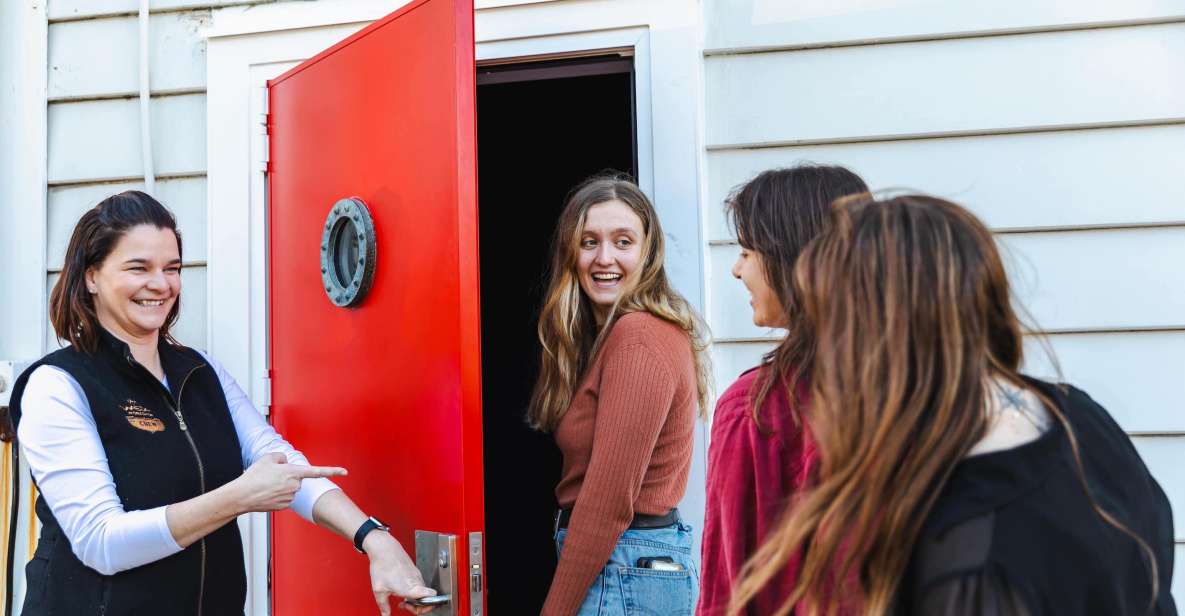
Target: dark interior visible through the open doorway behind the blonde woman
{"type": "Point", "coordinates": [542, 129]}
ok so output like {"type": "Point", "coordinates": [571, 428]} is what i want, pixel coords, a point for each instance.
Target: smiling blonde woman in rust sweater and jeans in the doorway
{"type": "Point", "coordinates": [623, 378]}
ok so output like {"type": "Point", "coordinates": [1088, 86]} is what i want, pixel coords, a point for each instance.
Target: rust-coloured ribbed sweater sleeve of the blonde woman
{"type": "Point", "coordinates": [636, 396]}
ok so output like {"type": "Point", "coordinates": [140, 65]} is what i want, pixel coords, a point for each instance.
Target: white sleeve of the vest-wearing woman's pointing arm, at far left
{"type": "Point", "coordinates": [61, 442]}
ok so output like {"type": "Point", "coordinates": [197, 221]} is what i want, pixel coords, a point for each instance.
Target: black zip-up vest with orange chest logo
{"type": "Point", "coordinates": [163, 447]}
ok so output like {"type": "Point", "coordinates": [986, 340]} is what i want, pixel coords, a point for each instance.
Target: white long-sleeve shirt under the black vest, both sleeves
{"type": "Point", "coordinates": [60, 440]}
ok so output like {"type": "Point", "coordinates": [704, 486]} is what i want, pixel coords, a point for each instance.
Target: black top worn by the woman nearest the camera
{"type": "Point", "coordinates": [1015, 535]}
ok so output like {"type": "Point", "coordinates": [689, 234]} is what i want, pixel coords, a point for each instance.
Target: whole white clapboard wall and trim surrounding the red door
{"type": "Point", "coordinates": [1061, 124]}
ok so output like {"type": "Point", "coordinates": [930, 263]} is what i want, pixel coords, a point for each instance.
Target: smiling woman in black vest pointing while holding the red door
{"type": "Point", "coordinates": [145, 452]}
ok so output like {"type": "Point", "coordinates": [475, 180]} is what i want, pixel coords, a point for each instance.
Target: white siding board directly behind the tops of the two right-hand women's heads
{"type": "Point", "coordinates": [1067, 178]}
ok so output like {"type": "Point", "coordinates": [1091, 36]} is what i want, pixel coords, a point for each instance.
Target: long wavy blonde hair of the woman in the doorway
{"type": "Point", "coordinates": [568, 329]}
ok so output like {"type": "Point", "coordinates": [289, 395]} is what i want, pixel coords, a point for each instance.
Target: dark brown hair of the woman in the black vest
{"type": "Point", "coordinates": [98, 233]}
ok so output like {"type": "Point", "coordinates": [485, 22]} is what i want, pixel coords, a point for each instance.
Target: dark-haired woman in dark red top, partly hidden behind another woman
{"type": "Point", "coordinates": [760, 454]}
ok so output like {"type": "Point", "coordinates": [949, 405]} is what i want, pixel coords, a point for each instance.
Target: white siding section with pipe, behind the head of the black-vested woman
{"type": "Point", "coordinates": [94, 127]}
